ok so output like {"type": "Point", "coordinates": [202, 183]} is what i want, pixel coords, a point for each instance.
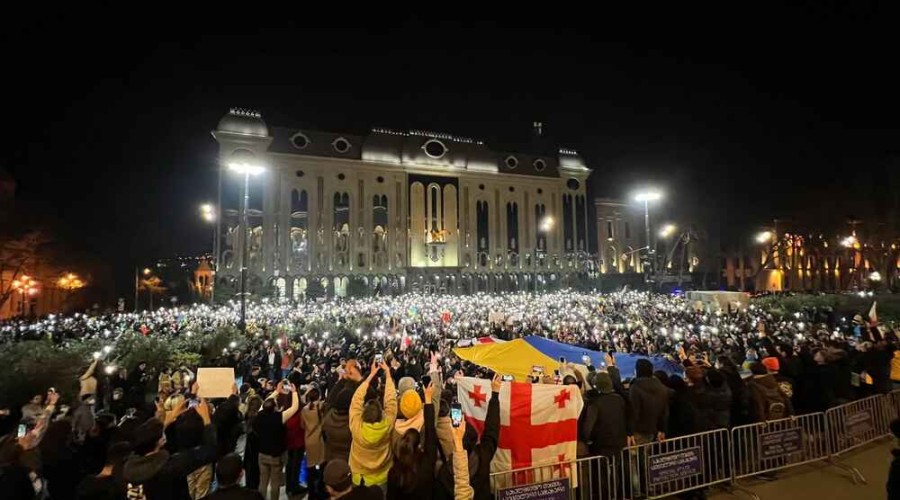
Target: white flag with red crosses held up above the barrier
{"type": "Point", "coordinates": [538, 424]}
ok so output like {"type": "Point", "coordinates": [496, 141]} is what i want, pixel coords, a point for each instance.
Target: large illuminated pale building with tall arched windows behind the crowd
{"type": "Point", "coordinates": [392, 211]}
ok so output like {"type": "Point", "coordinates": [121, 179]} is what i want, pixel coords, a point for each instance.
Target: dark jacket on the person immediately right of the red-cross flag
{"type": "Point", "coordinates": [604, 425]}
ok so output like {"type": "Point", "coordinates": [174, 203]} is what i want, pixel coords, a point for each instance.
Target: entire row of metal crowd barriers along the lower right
{"type": "Point", "coordinates": [677, 465]}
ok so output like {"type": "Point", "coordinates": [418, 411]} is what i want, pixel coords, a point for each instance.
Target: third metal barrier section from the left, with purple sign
{"type": "Point", "coordinates": [766, 447]}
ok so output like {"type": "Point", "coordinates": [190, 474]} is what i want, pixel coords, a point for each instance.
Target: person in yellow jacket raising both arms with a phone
{"type": "Point", "coordinates": [371, 424]}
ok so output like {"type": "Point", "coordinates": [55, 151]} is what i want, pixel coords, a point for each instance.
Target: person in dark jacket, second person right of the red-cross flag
{"type": "Point", "coordinates": [649, 405]}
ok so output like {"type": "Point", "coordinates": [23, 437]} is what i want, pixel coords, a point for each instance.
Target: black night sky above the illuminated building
{"type": "Point", "coordinates": [740, 117]}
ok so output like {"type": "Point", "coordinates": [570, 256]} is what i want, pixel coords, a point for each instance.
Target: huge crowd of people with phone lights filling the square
{"type": "Point", "coordinates": [351, 399]}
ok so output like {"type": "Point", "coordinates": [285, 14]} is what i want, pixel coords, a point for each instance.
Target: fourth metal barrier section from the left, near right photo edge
{"type": "Point", "coordinates": [858, 423]}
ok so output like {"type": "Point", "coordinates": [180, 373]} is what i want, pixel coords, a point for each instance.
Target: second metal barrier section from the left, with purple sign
{"type": "Point", "coordinates": [677, 465]}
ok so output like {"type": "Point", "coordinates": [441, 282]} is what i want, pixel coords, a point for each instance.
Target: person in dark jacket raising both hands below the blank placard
{"type": "Point", "coordinates": [154, 473]}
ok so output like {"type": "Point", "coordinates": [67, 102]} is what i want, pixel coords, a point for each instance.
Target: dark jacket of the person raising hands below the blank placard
{"type": "Point", "coordinates": [163, 476]}
